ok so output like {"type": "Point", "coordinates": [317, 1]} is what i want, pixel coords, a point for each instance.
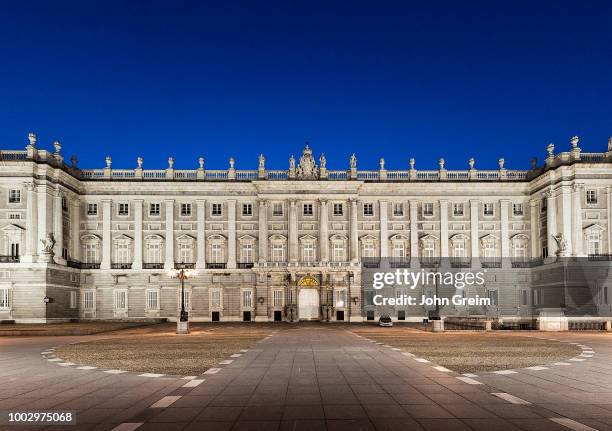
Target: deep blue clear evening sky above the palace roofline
{"type": "Point", "coordinates": [220, 79]}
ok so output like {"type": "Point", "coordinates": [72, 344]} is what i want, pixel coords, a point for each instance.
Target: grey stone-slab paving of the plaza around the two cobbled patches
{"type": "Point", "coordinates": [314, 377]}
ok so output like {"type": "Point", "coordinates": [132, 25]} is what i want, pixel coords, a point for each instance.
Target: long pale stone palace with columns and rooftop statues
{"type": "Point", "coordinates": [282, 245]}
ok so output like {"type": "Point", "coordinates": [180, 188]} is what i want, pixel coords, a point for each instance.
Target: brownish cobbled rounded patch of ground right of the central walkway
{"type": "Point", "coordinates": [470, 352]}
